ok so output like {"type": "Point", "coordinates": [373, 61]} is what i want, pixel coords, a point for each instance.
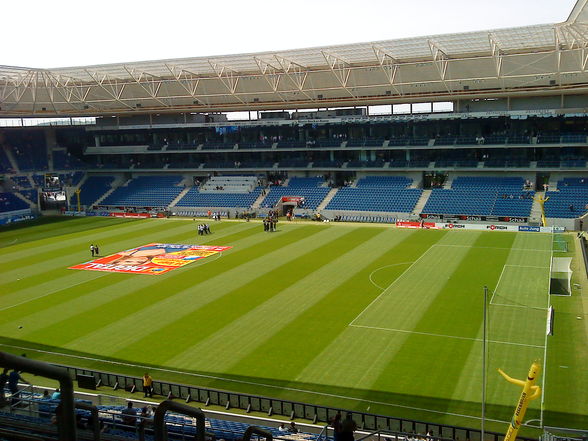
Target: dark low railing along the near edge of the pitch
{"type": "Point", "coordinates": [290, 409]}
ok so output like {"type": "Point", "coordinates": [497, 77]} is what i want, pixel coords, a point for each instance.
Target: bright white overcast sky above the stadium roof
{"type": "Point", "coordinates": [64, 33]}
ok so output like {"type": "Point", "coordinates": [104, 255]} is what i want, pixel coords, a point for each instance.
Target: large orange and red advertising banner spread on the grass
{"type": "Point", "coordinates": [153, 258]}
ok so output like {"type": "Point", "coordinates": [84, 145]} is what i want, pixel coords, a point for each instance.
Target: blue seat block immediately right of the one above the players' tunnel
{"type": "Point", "coordinates": [377, 193]}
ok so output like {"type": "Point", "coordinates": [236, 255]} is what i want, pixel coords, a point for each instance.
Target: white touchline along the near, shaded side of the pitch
{"type": "Point", "coordinates": [420, 409]}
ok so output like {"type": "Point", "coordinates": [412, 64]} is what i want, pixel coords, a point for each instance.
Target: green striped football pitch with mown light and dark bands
{"type": "Point", "coordinates": [369, 318]}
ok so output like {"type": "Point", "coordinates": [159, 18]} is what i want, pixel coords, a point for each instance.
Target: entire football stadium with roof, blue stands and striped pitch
{"type": "Point", "coordinates": [382, 241]}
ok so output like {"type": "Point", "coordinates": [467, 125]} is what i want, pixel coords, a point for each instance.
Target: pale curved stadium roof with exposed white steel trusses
{"type": "Point", "coordinates": [540, 59]}
